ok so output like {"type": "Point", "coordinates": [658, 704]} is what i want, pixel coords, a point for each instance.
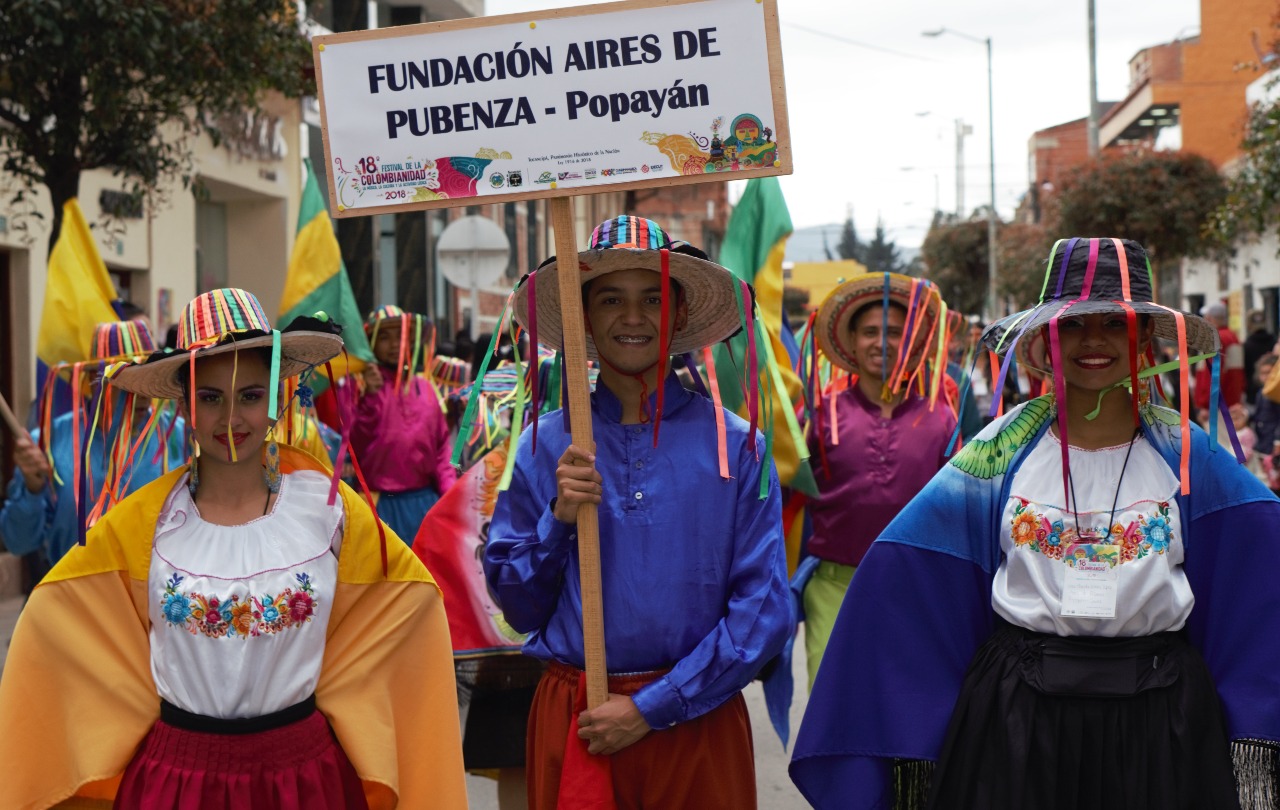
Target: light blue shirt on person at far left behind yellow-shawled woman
{"type": "Point", "coordinates": [47, 520]}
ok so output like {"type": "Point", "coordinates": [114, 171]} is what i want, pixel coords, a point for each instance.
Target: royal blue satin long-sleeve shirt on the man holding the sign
{"type": "Point", "coordinates": [693, 566]}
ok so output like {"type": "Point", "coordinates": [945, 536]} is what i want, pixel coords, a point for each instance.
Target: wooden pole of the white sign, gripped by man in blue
{"type": "Point", "coordinates": [580, 422]}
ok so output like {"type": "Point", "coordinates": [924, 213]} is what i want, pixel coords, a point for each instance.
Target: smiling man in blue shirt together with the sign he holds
{"type": "Point", "coordinates": [680, 575]}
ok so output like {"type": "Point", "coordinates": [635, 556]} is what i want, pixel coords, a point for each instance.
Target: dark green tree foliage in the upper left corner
{"type": "Point", "coordinates": [126, 85]}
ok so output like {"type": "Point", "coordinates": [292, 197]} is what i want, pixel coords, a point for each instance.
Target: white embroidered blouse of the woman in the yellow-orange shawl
{"type": "Point", "coordinates": [239, 614]}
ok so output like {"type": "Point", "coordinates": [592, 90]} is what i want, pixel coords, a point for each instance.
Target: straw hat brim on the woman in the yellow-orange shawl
{"type": "Point", "coordinates": [299, 353]}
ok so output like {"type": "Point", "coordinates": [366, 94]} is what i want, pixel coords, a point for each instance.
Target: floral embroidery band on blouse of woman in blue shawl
{"type": "Point", "coordinates": [1035, 532]}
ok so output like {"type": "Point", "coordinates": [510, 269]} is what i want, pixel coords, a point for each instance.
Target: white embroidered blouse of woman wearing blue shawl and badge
{"type": "Point", "coordinates": [1145, 547]}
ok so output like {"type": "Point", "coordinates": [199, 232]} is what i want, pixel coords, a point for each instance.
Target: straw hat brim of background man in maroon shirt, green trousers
{"type": "Point", "coordinates": [831, 327]}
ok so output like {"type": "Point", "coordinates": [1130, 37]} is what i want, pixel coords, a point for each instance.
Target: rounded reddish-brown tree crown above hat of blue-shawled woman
{"type": "Point", "coordinates": [1163, 200]}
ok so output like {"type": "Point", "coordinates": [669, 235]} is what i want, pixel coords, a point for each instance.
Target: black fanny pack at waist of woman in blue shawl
{"type": "Point", "coordinates": [1086, 667]}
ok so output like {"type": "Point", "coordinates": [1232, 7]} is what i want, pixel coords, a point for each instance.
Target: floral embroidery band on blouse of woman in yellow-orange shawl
{"type": "Point", "coordinates": [257, 616]}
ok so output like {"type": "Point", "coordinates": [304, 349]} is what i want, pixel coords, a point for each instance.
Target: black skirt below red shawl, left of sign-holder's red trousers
{"type": "Point", "coordinates": [495, 695]}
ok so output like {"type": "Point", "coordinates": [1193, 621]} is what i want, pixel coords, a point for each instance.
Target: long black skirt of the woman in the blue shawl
{"type": "Point", "coordinates": [1086, 724]}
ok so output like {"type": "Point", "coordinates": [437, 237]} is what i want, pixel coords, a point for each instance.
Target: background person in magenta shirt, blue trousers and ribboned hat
{"type": "Point", "coordinates": [400, 433]}
